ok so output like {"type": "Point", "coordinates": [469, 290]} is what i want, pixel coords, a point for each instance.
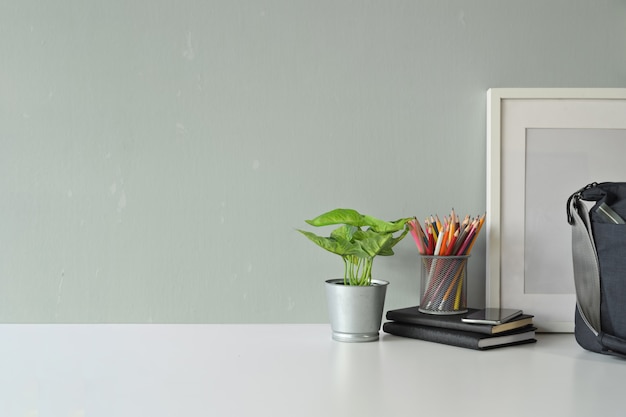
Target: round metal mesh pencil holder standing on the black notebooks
{"type": "Point", "coordinates": [443, 284]}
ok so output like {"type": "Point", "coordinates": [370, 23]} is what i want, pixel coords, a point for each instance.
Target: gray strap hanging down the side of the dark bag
{"type": "Point", "coordinates": [587, 273]}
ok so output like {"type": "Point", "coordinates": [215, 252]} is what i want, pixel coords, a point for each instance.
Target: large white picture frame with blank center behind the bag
{"type": "Point", "coordinates": [529, 130]}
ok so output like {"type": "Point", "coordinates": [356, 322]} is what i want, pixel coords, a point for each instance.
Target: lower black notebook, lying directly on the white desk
{"type": "Point", "coordinates": [460, 338]}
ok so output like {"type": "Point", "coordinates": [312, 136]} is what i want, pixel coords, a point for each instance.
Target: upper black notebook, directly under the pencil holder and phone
{"type": "Point", "coordinates": [453, 321]}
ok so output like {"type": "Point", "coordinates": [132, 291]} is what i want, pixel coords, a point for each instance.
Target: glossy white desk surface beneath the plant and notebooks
{"type": "Point", "coordinates": [291, 370]}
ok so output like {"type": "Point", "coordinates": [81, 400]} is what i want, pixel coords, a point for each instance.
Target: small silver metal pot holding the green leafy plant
{"type": "Point", "coordinates": [355, 312]}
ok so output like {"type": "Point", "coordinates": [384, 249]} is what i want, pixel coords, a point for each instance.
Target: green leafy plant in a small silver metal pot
{"type": "Point", "coordinates": [356, 301]}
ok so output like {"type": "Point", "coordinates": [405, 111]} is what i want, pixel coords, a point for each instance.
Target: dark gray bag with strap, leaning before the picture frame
{"type": "Point", "coordinates": [599, 259]}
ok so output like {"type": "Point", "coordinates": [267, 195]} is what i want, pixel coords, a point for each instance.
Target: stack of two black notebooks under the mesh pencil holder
{"type": "Point", "coordinates": [452, 330]}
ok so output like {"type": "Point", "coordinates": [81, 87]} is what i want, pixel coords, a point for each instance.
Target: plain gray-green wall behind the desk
{"type": "Point", "coordinates": [156, 156]}
